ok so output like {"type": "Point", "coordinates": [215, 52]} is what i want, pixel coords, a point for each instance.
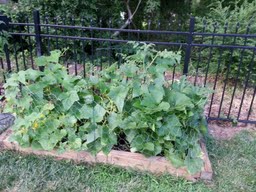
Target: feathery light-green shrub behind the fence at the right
{"type": "Point", "coordinates": [239, 18]}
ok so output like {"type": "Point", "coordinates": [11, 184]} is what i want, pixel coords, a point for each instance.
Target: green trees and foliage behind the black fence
{"type": "Point", "coordinates": [221, 17]}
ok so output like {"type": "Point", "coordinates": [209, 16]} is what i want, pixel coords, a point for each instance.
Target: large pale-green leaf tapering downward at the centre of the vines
{"type": "Point", "coordinates": [118, 95]}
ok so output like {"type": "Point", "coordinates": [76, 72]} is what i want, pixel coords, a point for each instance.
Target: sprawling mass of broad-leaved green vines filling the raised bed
{"type": "Point", "coordinates": [133, 101]}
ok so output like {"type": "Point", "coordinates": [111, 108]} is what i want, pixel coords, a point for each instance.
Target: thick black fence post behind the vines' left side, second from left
{"type": "Point", "coordinates": [37, 26]}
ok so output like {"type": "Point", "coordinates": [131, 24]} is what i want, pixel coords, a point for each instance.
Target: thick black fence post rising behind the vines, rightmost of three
{"type": "Point", "coordinates": [188, 47]}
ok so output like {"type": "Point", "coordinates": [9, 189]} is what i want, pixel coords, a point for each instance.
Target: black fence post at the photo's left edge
{"type": "Point", "coordinates": [4, 25]}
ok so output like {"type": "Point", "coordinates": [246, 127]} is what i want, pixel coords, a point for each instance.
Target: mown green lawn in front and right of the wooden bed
{"type": "Point", "coordinates": [234, 163]}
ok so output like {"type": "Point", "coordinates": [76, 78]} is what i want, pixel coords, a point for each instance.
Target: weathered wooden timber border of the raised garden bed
{"type": "Point", "coordinates": [136, 161]}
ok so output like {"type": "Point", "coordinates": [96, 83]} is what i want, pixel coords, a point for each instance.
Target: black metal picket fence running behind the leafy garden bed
{"type": "Point", "coordinates": [220, 57]}
